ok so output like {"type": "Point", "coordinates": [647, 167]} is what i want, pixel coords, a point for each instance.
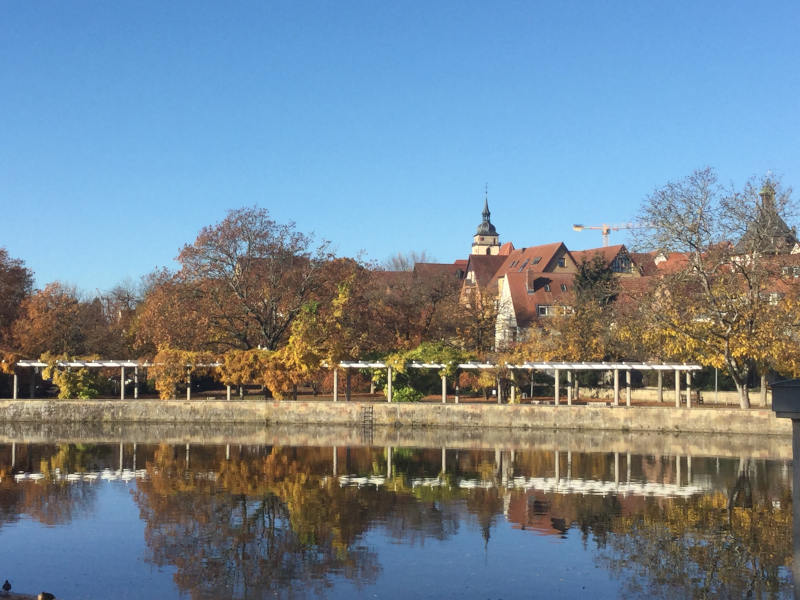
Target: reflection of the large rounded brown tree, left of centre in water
{"type": "Point", "coordinates": [266, 525]}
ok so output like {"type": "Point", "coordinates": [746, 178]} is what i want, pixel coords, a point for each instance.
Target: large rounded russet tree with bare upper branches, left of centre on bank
{"type": "Point", "coordinates": [252, 276]}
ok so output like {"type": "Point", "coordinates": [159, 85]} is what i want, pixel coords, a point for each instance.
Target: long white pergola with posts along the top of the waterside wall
{"type": "Point", "coordinates": [553, 368]}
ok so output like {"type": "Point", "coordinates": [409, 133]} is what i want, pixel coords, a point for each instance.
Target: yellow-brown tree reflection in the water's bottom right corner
{"type": "Point", "coordinates": [708, 546]}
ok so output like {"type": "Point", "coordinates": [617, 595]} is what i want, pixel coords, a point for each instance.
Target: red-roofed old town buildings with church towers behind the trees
{"type": "Point", "coordinates": [533, 283]}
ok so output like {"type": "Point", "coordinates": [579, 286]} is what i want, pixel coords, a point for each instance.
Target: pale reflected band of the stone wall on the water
{"type": "Point", "coordinates": [695, 444]}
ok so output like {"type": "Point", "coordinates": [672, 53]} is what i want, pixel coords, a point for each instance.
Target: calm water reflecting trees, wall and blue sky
{"type": "Point", "coordinates": [253, 515]}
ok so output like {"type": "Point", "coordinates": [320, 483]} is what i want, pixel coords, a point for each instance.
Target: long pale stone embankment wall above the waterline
{"type": "Point", "coordinates": [655, 419]}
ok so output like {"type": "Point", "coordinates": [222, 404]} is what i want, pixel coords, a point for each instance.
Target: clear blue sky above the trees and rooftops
{"type": "Point", "coordinates": [125, 127]}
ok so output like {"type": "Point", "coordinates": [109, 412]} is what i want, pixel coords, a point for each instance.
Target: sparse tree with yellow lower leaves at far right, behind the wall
{"type": "Point", "coordinates": [716, 308]}
